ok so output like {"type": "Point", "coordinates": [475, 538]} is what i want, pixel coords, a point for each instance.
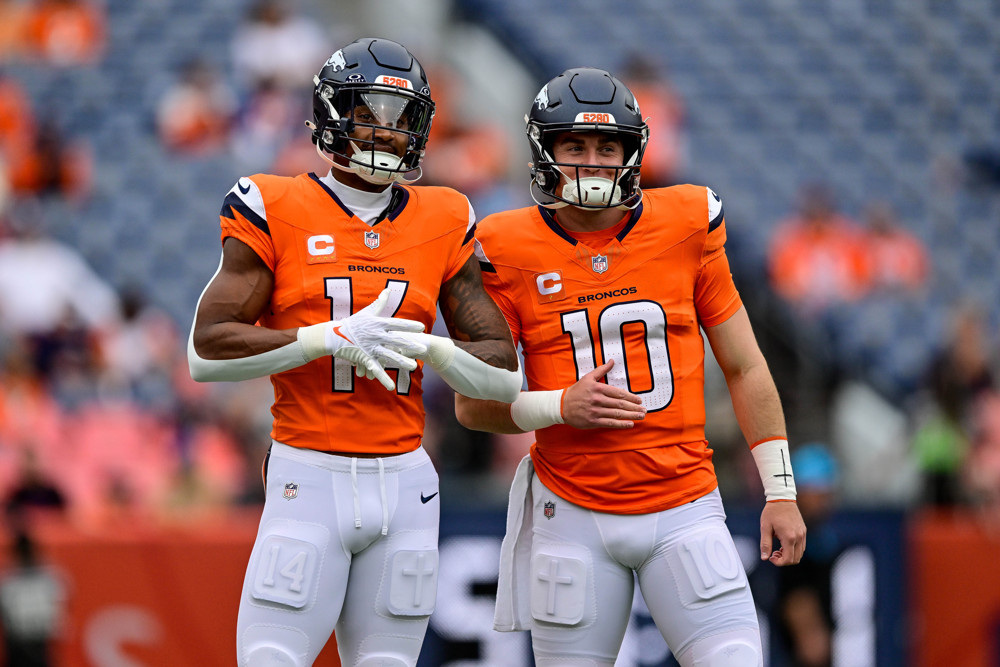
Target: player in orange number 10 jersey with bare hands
{"type": "Point", "coordinates": [607, 287]}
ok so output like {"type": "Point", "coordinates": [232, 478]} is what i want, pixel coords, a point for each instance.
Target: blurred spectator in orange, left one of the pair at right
{"type": "Point", "coordinates": [817, 257]}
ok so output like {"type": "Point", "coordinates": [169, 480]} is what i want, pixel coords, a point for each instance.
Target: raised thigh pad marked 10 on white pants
{"type": "Point", "coordinates": [706, 565]}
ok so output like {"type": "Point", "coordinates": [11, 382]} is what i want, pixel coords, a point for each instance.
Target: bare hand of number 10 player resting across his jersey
{"type": "Point", "coordinates": [591, 403]}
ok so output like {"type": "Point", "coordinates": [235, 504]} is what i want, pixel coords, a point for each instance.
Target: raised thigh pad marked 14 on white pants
{"type": "Point", "coordinates": [286, 563]}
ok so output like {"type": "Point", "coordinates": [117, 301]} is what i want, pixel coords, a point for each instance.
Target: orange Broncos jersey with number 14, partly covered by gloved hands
{"type": "Point", "coordinates": [327, 265]}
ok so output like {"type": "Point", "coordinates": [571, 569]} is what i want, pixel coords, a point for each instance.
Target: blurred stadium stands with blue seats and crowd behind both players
{"type": "Point", "coordinates": [874, 102]}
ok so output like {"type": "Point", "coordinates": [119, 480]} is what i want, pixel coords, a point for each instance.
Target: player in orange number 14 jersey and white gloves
{"type": "Point", "coordinates": [320, 275]}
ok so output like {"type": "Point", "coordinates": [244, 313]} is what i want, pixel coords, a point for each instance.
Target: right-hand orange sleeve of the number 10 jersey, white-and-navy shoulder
{"type": "Point", "coordinates": [715, 296]}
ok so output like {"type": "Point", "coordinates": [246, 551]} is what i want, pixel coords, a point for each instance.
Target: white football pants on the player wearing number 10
{"type": "Point", "coordinates": [688, 569]}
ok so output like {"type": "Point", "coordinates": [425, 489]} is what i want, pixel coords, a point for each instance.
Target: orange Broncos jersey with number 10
{"type": "Point", "coordinates": [639, 300]}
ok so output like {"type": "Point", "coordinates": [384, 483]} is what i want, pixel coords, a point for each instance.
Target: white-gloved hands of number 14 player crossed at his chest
{"type": "Point", "coordinates": [369, 340]}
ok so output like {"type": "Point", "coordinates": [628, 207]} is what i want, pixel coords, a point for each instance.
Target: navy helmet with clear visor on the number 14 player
{"type": "Point", "coordinates": [372, 83]}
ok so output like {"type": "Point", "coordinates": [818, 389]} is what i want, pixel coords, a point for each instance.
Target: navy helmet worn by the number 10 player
{"type": "Point", "coordinates": [585, 99]}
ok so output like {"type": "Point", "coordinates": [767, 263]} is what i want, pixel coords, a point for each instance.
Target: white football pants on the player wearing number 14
{"type": "Point", "coordinates": [344, 543]}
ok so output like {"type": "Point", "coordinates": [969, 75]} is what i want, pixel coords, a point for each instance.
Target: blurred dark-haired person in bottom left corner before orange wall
{"type": "Point", "coordinates": [32, 604]}
